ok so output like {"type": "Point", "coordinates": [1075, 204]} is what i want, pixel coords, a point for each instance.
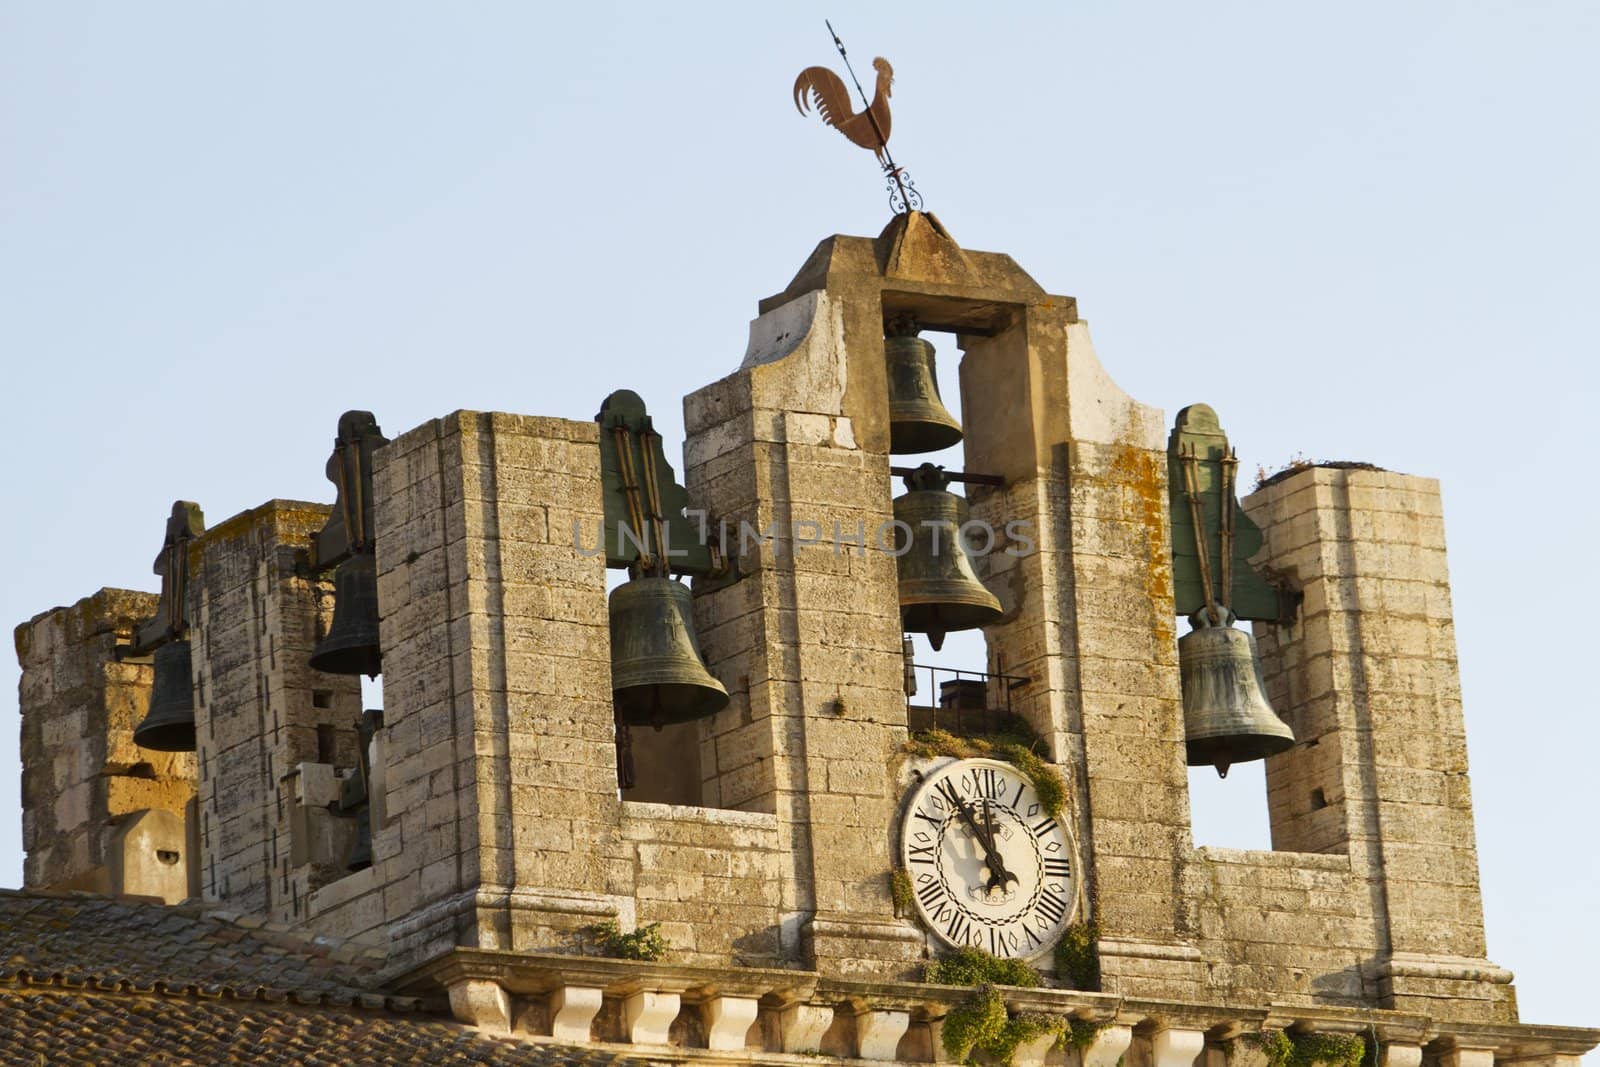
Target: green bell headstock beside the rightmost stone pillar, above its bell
{"type": "Point", "coordinates": [1199, 454]}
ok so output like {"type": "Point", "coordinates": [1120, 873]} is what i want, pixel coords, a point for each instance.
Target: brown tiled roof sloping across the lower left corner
{"type": "Point", "coordinates": [89, 980]}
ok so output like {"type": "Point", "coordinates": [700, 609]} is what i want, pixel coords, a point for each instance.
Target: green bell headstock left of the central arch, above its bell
{"type": "Point", "coordinates": [646, 529]}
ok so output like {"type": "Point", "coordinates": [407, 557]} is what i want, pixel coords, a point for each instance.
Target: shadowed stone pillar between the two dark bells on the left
{"type": "Point", "coordinates": [260, 709]}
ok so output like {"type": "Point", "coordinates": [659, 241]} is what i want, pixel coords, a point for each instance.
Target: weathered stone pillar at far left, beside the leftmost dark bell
{"type": "Point", "coordinates": [98, 812]}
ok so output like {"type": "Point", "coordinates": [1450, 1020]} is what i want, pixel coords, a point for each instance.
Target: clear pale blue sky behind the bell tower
{"type": "Point", "coordinates": [1361, 231]}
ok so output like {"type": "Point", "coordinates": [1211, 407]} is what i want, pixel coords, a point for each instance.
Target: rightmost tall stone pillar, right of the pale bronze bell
{"type": "Point", "coordinates": [1367, 677]}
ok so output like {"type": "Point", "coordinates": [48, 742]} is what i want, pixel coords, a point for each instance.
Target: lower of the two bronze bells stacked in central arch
{"type": "Point", "coordinates": [940, 593]}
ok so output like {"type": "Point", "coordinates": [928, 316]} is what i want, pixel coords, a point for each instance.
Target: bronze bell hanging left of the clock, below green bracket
{"type": "Point", "coordinates": [658, 674]}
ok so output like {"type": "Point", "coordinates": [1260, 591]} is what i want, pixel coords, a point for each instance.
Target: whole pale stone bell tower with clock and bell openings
{"type": "Point", "coordinates": [521, 796]}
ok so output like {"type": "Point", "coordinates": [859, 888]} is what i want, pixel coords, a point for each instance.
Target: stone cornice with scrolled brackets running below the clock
{"type": "Point", "coordinates": [767, 1015]}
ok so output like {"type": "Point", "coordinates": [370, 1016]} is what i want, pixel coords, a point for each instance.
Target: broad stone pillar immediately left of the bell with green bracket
{"type": "Point", "coordinates": [500, 756]}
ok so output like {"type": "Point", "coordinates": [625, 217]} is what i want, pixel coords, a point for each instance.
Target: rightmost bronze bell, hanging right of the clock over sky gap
{"type": "Point", "coordinates": [1226, 714]}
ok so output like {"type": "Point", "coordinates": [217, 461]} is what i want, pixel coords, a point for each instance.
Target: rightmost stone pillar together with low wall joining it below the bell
{"type": "Point", "coordinates": [1390, 911]}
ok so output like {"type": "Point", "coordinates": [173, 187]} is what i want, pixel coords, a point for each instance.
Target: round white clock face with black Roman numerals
{"type": "Point", "coordinates": [990, 868]}
